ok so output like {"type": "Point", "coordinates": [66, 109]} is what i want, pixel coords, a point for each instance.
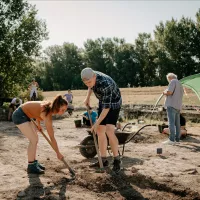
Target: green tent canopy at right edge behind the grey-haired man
{"type": "Point", "coordinates": [192, 82]}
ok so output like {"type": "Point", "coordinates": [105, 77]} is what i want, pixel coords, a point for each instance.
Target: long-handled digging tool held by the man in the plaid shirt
{"type": "Point", "coordinates": [101, 169]}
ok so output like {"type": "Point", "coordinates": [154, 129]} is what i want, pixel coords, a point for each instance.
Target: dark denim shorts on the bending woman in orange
{"type": "Point", "coordinates": [19, 117]}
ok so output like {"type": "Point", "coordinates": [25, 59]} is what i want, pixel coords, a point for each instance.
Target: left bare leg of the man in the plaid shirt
{"type": "Point", "coordinates": [102, 140]}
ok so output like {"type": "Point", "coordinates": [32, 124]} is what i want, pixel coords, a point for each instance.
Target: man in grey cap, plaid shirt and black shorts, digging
{"type": "Point", "coordinates": [108, 93]}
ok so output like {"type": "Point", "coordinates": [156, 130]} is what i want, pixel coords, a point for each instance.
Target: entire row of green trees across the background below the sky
{"type": "Point", "coordinates": [174, 47]}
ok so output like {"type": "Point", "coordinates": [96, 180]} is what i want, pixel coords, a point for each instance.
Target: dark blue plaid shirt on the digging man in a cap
{"type": "Point", "coordinates": [107, 91]}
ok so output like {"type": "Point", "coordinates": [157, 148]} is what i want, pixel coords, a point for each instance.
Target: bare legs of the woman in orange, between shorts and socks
{"type": "Point", "coordinates": [29, 132]}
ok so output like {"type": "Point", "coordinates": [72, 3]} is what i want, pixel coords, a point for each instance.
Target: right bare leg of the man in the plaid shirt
{"type": "Point", "coordinates": [113, 141]}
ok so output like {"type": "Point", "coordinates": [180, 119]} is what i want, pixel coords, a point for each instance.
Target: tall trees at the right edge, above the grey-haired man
{"type": "Point", "coordinates": [177, 44]}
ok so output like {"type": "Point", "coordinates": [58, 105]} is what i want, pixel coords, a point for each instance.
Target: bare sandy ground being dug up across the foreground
{"type": "Point", "coordinates": [173, 175]}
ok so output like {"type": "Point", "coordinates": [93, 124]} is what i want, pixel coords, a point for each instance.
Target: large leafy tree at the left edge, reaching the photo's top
{"type": "Point", "coordinates": [20, 36]}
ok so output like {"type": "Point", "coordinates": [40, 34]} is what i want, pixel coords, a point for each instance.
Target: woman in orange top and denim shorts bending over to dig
{"type": "Point", "coordinates": [41, 111]}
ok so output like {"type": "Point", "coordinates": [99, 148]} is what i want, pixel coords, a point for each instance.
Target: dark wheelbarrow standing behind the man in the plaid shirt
{"type": "Point", "coordinates": [87, 147]}
